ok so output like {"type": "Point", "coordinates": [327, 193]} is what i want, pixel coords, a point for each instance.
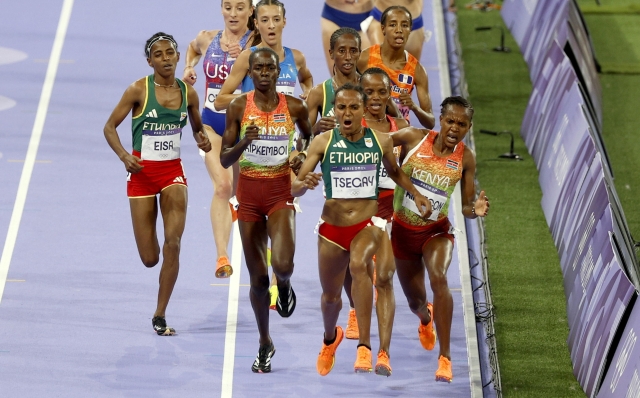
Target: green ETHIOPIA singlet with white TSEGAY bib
{"type": "Point", "coordinates": [350, 169]}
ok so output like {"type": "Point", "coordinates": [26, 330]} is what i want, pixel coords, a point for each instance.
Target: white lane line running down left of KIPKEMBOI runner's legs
{"type": "Point", "coordinates": [232, 315]}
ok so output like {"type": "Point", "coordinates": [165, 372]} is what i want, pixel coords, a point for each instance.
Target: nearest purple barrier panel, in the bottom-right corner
{"type": "Point", "coordinates": [623, 376]}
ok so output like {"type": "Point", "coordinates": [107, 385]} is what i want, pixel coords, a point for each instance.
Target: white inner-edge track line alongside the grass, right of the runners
{"type": "Point", "coordinates": [473, 356]}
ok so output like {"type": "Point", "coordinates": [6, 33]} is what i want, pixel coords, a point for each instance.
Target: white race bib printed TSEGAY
{"type": "Point", "coordinates": [353, 182]}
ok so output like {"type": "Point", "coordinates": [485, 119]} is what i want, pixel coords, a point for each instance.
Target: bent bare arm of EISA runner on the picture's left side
{"type": "Point", "coordinates": [130, 102]}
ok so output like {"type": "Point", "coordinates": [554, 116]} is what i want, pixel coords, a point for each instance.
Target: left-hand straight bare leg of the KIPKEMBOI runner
{"type": "Point", "coordinates": [254, 244]}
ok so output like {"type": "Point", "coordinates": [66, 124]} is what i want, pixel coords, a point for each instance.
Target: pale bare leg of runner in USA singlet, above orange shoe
{"type": "Point", "coordinates": [222, 191]}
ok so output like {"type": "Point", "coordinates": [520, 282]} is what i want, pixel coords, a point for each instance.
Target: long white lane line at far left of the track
{"type": "Point", "coordinates": [34, 143]}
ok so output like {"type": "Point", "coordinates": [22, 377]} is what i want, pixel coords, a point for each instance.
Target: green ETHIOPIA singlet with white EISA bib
{"type": "Point", "coordinates": [157, 130]}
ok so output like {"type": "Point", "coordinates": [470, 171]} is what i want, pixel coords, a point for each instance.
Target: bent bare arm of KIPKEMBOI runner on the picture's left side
{"type": "Point", "coordinates": [231, 148]}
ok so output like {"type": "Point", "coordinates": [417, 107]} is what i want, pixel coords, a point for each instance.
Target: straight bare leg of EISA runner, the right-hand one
{"type": "Point", "coordinates": [173, 205]}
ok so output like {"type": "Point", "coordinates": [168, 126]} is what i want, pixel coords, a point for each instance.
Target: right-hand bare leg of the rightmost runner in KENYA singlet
{"type": "Point", "coordinates": [437, 257]}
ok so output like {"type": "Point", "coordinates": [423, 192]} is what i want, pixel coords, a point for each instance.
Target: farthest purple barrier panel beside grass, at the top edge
{"type": "Point", "coordinates": [548, 18]}
